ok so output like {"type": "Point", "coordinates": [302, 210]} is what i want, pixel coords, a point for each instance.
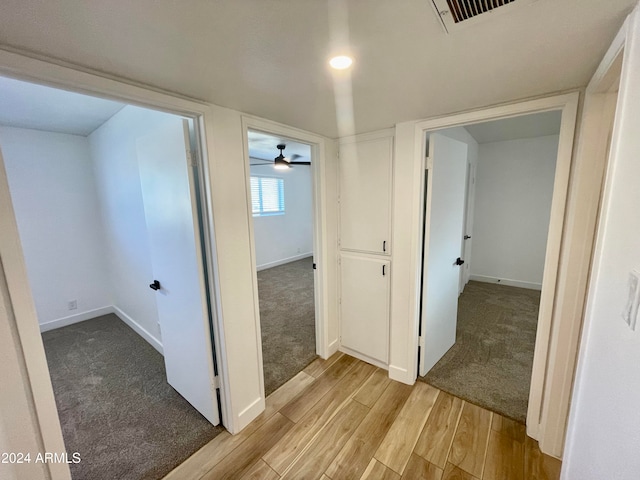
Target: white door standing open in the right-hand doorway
{"type": "Point", "coordinates": [445, 206]}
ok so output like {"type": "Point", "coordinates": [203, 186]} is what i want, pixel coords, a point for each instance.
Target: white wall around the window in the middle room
{"type": "Point", "coordinates": [288, 237]}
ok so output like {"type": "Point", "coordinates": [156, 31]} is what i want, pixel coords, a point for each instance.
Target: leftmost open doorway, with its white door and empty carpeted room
{"type": "Point", "coordinates": [84, 235]}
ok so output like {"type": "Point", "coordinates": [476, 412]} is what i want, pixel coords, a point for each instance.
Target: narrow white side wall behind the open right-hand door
{"type": "Point", "coordinates": [461, 134]}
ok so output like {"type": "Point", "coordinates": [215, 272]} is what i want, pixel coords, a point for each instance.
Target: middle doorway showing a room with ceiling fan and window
{"type": "Point", "coordinates": [281, 189]}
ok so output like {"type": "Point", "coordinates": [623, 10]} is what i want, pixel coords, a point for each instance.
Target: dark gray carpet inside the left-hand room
{"type": "Point", "coordinates": [115, 405]}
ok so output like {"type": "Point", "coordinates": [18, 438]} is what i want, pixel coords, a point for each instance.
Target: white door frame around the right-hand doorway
{"type": "Point", "coordinates": [552, 357]}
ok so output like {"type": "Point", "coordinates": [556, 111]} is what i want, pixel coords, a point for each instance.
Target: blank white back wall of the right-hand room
{"type": "Point", "coordinates": [514, 189]}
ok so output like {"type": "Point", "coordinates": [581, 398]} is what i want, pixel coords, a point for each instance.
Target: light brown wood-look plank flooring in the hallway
{"type": "Point", "coordinates": [345, 419]}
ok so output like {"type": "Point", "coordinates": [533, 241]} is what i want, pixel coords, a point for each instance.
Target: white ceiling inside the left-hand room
{"type": "Point", "coordinates": [27, 105]}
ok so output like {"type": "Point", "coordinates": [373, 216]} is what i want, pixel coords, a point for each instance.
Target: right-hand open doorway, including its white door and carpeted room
{"type": "Point", "coordinates": [494, 230]}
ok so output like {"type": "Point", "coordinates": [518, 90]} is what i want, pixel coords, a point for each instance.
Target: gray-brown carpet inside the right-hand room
{"type": "Point", "coordinates": [490, 364]}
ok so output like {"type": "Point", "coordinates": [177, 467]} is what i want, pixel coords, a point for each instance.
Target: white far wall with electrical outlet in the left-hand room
{"type": "Point", "coordinates": [53, 192]}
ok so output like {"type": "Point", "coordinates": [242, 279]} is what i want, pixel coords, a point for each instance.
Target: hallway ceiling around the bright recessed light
{"type": "Point", "coordinates": [268, 57]}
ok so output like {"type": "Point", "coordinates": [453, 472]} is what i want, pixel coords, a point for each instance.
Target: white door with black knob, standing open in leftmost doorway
{"type": "Point", "coordinates": [168, 190]}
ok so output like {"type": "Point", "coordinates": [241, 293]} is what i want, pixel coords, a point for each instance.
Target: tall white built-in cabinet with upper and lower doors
{"type": "Point", "coordinates": [365, 195]}
